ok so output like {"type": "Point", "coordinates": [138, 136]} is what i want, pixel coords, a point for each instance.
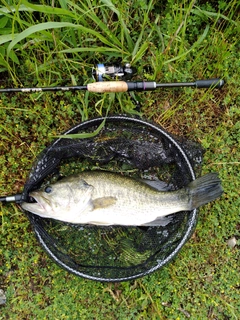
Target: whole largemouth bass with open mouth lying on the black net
{"type": "Point", "coordinates": [105, 199]}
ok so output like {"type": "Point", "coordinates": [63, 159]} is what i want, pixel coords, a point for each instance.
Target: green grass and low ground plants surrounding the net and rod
{"type": "Point", "coordinates": [179, 41]}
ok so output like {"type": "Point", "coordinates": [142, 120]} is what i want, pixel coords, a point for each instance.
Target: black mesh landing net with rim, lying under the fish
{"type": "Point", "coordinates": [135, 148]}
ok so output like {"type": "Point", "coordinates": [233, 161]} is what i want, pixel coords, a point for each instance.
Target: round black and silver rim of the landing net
{"type": "Point", "coordinates": [192, 216]}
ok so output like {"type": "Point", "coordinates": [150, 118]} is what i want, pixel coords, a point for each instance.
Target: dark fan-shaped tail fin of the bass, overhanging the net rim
{"type": "Point", "coordinates": [204, 189]}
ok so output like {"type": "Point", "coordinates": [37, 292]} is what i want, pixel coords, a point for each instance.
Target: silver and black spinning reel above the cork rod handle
{"type": "Point", "coordinates": [116, 71]}
